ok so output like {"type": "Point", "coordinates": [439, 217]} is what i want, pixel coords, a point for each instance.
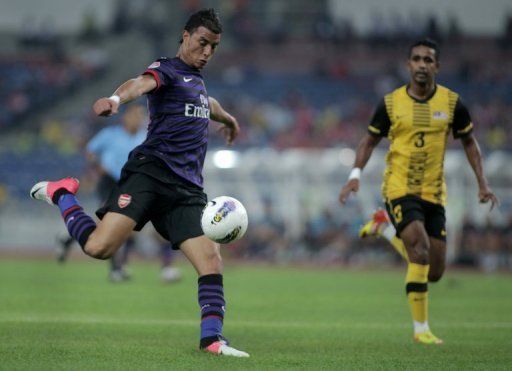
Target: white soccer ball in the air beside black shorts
{"type": "Point", "coordinates": [224, 219]}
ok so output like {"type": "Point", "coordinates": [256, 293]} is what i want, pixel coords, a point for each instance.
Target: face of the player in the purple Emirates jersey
{"type": "Point", "coordinates": [199, 46]}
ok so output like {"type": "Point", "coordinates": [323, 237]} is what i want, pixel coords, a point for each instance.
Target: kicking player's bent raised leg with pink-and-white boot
{"type": "Point", "coordinates": [98, 241]}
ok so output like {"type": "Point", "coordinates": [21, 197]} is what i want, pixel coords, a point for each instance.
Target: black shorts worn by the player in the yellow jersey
{"type": "Point", "coordinates": [407, 209]}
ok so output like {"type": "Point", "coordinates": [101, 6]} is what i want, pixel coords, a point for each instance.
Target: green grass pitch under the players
{"type": "Point", "coordinates": [71, 318]}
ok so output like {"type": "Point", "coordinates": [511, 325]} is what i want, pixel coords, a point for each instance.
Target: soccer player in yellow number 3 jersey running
{"type": "Point", "coordinates": [417, 119]}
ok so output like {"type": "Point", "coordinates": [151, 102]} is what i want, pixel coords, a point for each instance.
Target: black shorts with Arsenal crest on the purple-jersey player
{"type": "Point", "coordinates": [149, 191]}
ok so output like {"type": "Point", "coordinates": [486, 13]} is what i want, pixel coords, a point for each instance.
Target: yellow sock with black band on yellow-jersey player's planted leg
{"type": "Point", "coordinates": [417, 292]}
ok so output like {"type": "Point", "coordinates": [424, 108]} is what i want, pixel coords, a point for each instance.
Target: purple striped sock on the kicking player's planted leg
{"type": "Point", "coordinates": [211, 301]}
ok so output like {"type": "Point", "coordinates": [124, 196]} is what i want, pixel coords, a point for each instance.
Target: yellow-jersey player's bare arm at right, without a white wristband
{"type": "Point", "coordinates": [474, 156]}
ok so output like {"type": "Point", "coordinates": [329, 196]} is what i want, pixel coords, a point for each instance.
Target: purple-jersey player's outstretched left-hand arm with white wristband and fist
{"type": "Point", "coordinates": [127, 92]}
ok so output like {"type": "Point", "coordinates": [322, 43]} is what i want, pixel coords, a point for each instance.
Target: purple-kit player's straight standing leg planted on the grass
{"type": "Point", "coordinates": [206, 259]}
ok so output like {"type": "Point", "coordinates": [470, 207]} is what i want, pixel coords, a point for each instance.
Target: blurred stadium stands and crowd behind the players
{"type": "Point", "coordinates": [303, 78]}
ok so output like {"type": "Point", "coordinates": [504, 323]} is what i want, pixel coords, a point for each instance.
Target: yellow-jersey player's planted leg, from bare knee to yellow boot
{"type": "Point", "coordinates": [416, 282]}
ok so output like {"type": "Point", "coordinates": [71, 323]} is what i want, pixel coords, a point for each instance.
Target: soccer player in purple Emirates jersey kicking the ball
{"type": "Point", "coordinates": [161, 181]}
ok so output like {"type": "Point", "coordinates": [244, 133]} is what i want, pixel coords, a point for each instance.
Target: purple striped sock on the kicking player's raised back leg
{"type": "Point", "coordinates": [79, 224]}
